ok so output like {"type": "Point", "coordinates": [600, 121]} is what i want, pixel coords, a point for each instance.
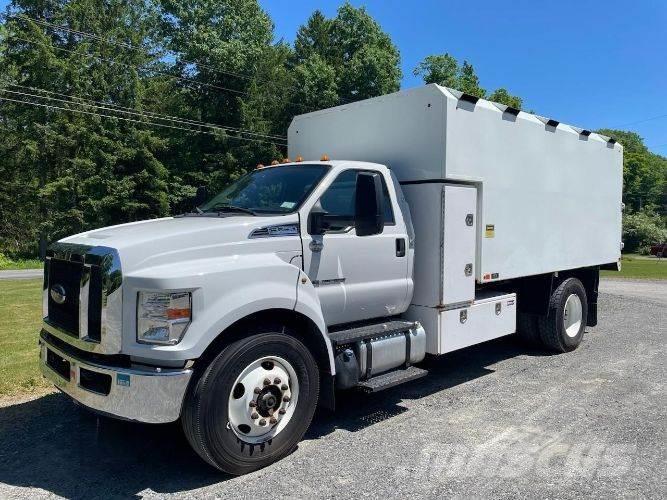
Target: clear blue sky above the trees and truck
{"type": "Point", "coordinates": [588, 63]}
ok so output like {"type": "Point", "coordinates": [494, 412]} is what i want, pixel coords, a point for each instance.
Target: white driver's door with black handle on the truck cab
{"type": "Point", "coordinates": [357, 277]}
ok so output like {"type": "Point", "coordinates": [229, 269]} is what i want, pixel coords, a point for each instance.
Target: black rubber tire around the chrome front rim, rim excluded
{"type": "Point", "coordinates": [205, 411]}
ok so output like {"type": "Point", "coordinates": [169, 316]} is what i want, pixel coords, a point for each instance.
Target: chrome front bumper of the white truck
{"type": "Point", "coordinates": [142, 394]}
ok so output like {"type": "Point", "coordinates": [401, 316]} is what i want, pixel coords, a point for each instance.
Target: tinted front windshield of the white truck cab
{"type": "Point", "coordinates": [278, 190]}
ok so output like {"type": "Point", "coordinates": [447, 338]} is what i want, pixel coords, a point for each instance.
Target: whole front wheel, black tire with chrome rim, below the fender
{"type": "Point", "coordinates": [253, 403]}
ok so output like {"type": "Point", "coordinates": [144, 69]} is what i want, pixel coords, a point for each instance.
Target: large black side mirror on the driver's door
{"type": "Point", "coordinates": [369, 204]}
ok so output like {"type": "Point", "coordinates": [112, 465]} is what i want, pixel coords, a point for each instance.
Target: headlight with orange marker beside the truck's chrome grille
{"type": "Point", "coordinates": [162, 318]}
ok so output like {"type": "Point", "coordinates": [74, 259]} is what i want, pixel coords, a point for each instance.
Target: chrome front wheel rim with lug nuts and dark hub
{"type": "Point", "coordinates": [263, 399]}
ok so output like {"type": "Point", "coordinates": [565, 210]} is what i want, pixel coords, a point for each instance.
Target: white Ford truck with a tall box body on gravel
{"type": "Point", "coordinates": [435, 222]}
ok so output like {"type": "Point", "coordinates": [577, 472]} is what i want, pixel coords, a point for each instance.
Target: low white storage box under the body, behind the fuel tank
{"type": "Point", "coordinates": [491, 315]}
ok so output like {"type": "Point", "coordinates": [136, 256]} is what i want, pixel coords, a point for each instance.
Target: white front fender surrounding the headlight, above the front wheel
{"type": "Point", "coordinates": [224, 290]}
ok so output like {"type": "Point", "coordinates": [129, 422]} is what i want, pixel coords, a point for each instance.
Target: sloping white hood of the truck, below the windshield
{"type": "Point", "coordinates": [177, 239]}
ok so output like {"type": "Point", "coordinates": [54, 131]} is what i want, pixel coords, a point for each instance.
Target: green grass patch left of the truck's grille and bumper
{"type": "Point", "coordinates": [20, 319]}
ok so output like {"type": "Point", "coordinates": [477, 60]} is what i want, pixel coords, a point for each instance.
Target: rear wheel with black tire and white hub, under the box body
{"type": "Point", "coordinates": [562, 329]}
